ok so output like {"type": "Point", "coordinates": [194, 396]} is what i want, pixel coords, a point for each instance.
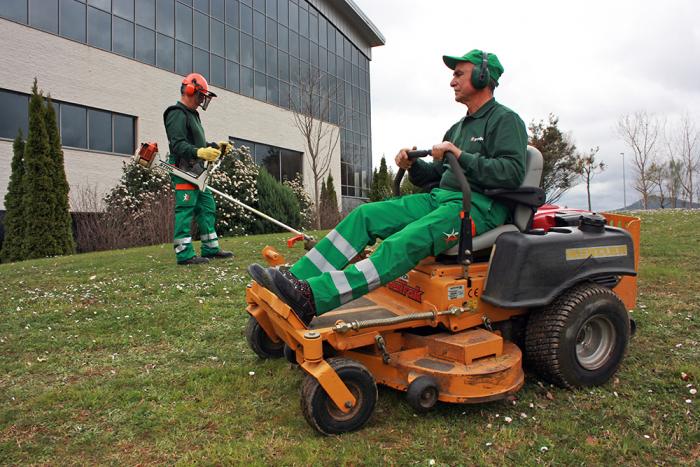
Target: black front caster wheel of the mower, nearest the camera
{"type": "Point", "coordinates": [322, 413]}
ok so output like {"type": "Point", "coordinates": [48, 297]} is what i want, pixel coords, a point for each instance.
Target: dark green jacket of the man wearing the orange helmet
{"type": "Point", "coordinates": [185, 132]}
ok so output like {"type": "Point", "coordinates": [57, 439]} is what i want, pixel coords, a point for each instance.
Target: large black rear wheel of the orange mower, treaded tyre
{"type": "Point", "coordinates": [580, 339]}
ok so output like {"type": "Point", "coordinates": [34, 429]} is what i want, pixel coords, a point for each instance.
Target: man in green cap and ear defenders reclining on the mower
{"type": "Point", "coordinates": [490, 144]}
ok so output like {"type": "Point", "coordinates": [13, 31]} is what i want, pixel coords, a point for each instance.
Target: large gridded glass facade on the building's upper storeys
{"type": "Point", "coordinates": [264, 49]}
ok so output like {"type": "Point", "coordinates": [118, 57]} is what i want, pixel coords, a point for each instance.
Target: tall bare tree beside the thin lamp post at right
{"type": "Point", "coordinates": [640, 131]}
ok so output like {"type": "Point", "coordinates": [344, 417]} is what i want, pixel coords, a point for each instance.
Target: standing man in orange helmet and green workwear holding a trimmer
{"type": "Point", "coordinates": [188, 148]}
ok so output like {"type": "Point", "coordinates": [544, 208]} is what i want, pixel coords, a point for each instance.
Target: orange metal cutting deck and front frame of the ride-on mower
{"type": "Point", "coordinates": [470, 366]}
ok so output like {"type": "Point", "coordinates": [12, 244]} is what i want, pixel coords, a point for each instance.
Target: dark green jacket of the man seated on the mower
{"type": "Point", "coordinates": [494, 149]}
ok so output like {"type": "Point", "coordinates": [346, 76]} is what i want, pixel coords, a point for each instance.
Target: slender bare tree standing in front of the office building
{"type": "Point", "coordinates": [313, 107]}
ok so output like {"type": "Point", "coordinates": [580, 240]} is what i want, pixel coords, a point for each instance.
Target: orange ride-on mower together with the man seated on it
{"type": "Point", "coordinates": [443, 326]}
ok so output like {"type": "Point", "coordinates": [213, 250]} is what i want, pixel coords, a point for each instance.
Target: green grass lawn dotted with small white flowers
{"type": "Point", "coordinates": [123, 357]}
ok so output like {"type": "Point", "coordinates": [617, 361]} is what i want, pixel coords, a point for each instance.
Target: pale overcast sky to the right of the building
{"type": "Point", "coordinates": [588, 62]}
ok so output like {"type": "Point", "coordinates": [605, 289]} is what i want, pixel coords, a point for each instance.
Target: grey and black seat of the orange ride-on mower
{"type": "Point", "coordinates": [523, 202]}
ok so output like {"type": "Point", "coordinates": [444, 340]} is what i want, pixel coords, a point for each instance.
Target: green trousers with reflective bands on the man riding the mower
{"type": "Point", "coordinates": [411, 227]}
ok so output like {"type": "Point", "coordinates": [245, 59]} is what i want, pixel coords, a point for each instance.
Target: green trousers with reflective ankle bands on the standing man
{"type": "Point", "coordinates": [190, 203]}
